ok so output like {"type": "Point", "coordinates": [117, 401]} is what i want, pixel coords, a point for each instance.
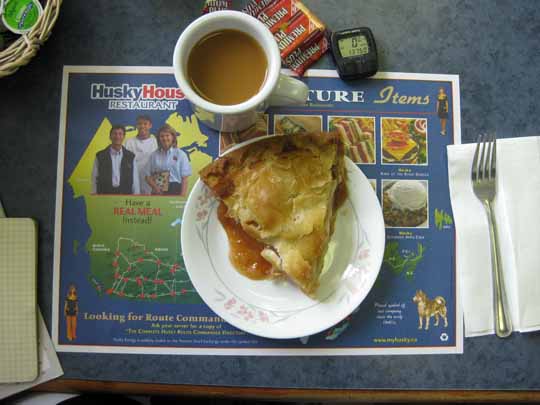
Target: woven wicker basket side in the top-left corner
{"type": "Point", "coordinates": [23, 49]}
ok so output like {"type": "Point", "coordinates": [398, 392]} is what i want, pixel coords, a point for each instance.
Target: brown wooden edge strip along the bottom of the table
{"type": "Point", "coordinates": [287, 394]}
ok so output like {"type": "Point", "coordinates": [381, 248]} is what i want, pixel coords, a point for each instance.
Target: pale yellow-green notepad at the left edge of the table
{"type": "Point", "coordinates": [18, 306]}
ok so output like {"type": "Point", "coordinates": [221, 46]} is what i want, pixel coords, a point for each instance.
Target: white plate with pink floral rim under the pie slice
{"type": "Point", "coordinates": [278, 309]}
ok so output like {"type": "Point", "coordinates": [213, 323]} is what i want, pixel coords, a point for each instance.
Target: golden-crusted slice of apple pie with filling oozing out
{"type": "Point", "coordinates": [279, 198]}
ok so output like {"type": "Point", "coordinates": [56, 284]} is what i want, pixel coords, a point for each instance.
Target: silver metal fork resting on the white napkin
{"type": "Point", "coordinates": [483, 176]}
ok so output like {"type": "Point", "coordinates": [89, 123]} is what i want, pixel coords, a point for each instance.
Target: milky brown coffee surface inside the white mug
{"type": "Point", "coordinates": [227, 67]}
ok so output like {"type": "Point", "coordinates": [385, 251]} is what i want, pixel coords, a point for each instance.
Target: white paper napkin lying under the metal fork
{"type": "Point", "coordinates": [517, 211]}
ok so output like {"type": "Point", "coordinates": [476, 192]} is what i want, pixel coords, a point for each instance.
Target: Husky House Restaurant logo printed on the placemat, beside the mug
{"type": "Point", "coordinates": [145, 97]}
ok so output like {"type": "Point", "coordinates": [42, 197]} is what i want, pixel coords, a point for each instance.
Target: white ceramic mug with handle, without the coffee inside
{"type": "Point", "coordinates": [277, 88]}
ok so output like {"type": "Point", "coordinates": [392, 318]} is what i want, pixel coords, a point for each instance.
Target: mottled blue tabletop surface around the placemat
{"type": "Point", "coordinates": [492, 45]}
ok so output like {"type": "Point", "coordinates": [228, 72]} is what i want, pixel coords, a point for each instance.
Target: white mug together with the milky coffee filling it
{"type": "Point", "coordinates": [227, 64]}
